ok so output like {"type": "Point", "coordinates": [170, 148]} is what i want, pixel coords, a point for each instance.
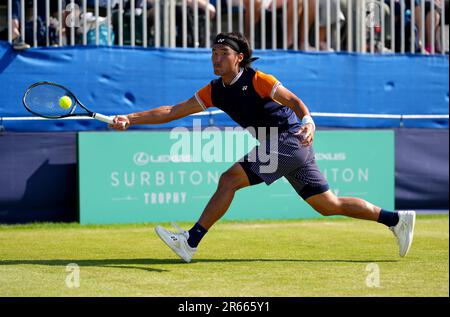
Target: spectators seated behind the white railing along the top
{"type": "Point", "coordinates": [432, 26]}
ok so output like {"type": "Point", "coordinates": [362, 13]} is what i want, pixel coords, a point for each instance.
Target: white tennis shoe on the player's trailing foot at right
{"type": "Point", "coordinates": [404, 230]}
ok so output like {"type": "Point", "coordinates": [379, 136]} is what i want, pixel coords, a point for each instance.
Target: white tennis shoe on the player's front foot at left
{"type": "Point", "coordinates": [177, 241]}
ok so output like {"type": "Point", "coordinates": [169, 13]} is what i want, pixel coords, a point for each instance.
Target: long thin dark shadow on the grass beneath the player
{"type": "Point", "coordinates": [138, 263]}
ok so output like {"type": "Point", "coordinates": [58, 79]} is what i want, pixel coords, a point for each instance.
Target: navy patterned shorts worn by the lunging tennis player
{"type": "Point", "coordinates": [283, 155]}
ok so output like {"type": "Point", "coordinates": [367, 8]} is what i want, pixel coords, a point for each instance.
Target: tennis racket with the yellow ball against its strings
{"type": "Point", "coordinates": [44, 100]}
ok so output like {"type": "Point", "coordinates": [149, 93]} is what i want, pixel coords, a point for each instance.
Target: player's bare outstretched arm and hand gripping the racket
{"type": "Point", "coordinates": [158, 115]}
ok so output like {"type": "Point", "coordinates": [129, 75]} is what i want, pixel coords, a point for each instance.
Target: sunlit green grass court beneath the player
{"type": "Point", "coordinates": [326, 257]}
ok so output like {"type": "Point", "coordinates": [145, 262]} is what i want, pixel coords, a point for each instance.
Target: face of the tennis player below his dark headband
{"type": "Point", "coordinates": [225, 60]}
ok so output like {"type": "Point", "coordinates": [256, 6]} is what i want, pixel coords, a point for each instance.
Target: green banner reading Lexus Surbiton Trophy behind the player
{"type": "Point", "coordinates": [133, 177]}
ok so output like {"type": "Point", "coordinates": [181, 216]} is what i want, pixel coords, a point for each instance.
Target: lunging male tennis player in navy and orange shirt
{"type": "Point", "coordinates": [257, 100]}
